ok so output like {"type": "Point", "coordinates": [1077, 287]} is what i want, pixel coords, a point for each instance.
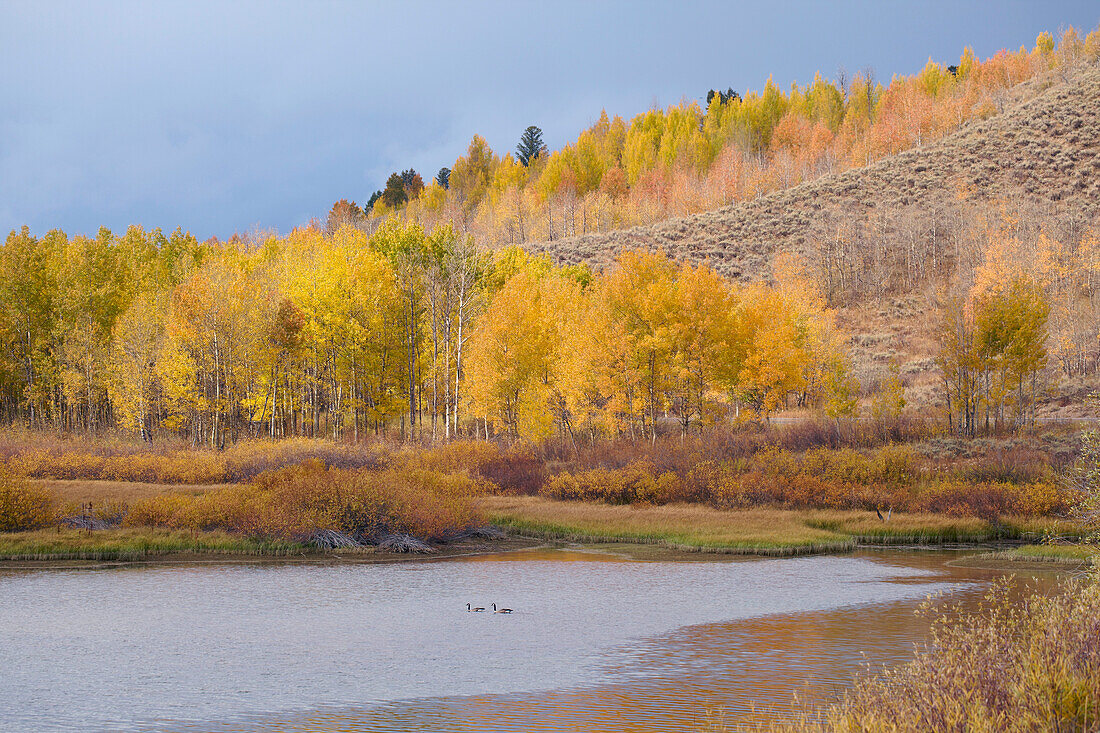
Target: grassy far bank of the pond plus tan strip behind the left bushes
{"type": "Point", "coordinates": [675, 529]}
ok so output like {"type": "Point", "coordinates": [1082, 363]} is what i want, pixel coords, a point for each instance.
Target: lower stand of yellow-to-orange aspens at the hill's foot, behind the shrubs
{"type": "Point", "coordinates": [402, 332]}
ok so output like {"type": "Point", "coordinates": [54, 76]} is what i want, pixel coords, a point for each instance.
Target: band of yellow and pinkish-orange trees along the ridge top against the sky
{"type": "Point", "coordinates": [696, 157]}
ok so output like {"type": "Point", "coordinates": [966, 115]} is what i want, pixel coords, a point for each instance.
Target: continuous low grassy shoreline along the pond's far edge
{"type": "Point", "coordinates": [672, 532]}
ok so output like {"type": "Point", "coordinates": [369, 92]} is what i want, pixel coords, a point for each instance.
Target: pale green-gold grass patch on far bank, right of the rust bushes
{"type": "Point", "coordinates": [752, 531]}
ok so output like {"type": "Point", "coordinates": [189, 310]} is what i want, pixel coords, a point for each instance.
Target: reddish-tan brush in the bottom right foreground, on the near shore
{"type": "Point", "coordinates": [1013, 666]}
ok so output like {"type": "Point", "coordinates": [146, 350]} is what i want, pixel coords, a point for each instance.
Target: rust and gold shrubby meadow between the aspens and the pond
{"type": "Point", "coordinates": [779, 489]}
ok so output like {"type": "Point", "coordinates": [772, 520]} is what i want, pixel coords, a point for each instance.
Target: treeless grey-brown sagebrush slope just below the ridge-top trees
{"type": "Point", "coordinates": [1047, 148]}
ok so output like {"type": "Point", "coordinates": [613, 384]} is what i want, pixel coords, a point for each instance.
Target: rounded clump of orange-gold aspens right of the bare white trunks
{"type": "Point", "coordinates": [645, 343]}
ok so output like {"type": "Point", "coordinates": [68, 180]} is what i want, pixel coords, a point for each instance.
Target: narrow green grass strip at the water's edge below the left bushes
{"type": "Point", "coordinates": [133, 544]}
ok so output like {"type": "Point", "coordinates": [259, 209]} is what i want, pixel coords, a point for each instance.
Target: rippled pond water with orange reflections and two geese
{"type": "Point", "coordinates": [597, 643]}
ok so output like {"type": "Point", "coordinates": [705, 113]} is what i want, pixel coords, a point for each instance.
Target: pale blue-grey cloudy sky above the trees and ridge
{"type": "Point", "coordinates": [223, 117]}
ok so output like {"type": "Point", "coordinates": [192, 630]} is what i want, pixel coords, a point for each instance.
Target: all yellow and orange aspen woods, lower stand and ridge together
{"type": "Point", "coordinates": [424, 318]}
